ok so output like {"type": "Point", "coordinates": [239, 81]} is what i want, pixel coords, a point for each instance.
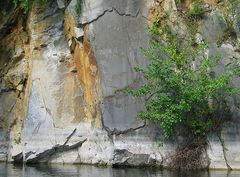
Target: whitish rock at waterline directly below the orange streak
{"type": "Point", "coordinates": [98, 149]}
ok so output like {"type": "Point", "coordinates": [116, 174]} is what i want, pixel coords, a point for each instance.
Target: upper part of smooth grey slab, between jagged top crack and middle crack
{"type": "Point", "coordinates": [116, 58]}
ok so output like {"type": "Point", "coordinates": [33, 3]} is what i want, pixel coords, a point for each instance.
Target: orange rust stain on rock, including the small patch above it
{"type": "Point", "coordinates": [87, 70]}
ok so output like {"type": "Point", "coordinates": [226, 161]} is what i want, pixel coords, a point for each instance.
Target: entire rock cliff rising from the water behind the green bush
{"type": "Point", "coordinates": [63, 69]}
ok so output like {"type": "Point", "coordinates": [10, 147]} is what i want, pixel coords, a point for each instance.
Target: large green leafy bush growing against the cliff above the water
{"type": "Point", "coordinates": [182, 91]}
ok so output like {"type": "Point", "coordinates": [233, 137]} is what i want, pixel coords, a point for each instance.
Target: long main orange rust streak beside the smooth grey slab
{"type": "Point", "coordinates": [87, 69]}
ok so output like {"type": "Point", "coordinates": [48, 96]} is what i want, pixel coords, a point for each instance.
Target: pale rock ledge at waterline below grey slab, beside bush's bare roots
{"type": "Point", "coordinates": [145, 142]}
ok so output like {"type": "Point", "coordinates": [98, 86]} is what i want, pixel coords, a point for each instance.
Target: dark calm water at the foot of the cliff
{"type": "Point", "coordinates": [9, 170]}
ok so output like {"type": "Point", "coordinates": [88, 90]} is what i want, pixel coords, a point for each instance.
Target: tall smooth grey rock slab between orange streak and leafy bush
{"type": "Point", "coordinates": [117, 50]}
